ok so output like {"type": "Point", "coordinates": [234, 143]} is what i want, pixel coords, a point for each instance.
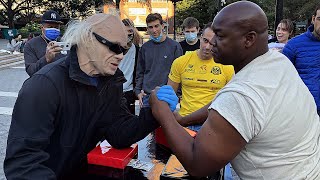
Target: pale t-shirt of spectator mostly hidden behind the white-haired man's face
{"type": "Point", "coordinates": [127, 67]}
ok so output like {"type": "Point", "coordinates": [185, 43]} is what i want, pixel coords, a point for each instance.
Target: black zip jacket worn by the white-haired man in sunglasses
{"type": "Point", "coordinates": [60, 115]}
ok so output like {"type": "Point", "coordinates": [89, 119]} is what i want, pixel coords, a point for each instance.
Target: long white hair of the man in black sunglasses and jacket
{"type": "Point", "coordinates": [80, 32]}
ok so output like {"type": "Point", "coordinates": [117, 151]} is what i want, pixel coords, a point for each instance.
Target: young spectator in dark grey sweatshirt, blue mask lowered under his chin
{"type": "Point", "coordinates": [155, 59]}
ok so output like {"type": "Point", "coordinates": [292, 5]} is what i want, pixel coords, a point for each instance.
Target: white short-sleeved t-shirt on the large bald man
{"type": "Point", "coordinates": [273, 110]}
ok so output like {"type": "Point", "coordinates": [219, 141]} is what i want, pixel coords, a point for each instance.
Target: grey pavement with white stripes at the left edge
{"type": "Point", "coordinates": [12, 75]}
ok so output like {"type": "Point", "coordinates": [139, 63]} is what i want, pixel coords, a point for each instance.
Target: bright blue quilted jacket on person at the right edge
{"type": "Point", "coordinates": [304, 52]}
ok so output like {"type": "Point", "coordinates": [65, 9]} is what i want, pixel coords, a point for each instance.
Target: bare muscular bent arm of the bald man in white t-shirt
{"type": "Point", "coordinates": [215, 145]}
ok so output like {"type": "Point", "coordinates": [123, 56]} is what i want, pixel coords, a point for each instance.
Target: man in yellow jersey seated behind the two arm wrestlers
{"type": "Point", "coordinates": [201, 78]}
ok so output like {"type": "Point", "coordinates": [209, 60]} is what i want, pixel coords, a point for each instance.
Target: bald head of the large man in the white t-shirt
{"type": "Point", "coordinates": [241, 34]}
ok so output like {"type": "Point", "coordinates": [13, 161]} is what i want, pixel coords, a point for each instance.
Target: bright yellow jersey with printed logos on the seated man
{"type": "Point", "coordinates": [200, 80]}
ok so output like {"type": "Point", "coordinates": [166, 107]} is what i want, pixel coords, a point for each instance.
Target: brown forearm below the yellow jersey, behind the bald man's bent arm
{"type": "Point", "coordinates": [197, 117]}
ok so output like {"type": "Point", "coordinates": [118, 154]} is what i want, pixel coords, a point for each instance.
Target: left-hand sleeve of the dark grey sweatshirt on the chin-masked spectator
{"type": "Point", "coordinates": [139, 72]}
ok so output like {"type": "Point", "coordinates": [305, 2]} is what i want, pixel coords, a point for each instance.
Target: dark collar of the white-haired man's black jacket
{"type": "Point", "coordinates": [77, 74]}
